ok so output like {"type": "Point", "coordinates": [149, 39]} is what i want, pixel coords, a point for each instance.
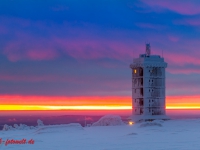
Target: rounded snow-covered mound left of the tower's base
{"type": "Point", "coordinates": [109, 120]}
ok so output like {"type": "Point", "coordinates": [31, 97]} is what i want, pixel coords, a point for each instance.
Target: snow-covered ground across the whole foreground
{"type": "Point", "coordinates": [169, 135]}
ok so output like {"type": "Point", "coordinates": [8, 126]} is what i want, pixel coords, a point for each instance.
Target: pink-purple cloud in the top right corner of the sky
{"type": "Point", "coordinates": [183, 7]}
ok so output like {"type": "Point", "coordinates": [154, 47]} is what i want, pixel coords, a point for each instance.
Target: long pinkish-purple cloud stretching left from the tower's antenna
{"type": "Point", "coordinates": [95, 49]}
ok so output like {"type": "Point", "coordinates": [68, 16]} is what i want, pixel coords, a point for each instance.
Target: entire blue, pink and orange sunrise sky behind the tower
{"type": "Point", "coordinates": [75, 55]}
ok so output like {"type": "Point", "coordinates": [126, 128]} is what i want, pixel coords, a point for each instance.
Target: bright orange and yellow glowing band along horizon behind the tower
{"type": "Point", "coordinates": [8, 102]}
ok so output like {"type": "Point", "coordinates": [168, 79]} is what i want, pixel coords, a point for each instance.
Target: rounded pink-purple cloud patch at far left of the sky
{"type": "Point", "coordinates": [27, 47]}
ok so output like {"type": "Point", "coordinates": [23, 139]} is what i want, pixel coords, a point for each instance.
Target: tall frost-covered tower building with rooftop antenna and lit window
{"type": "Point", "coordinates": [148, 87]}
